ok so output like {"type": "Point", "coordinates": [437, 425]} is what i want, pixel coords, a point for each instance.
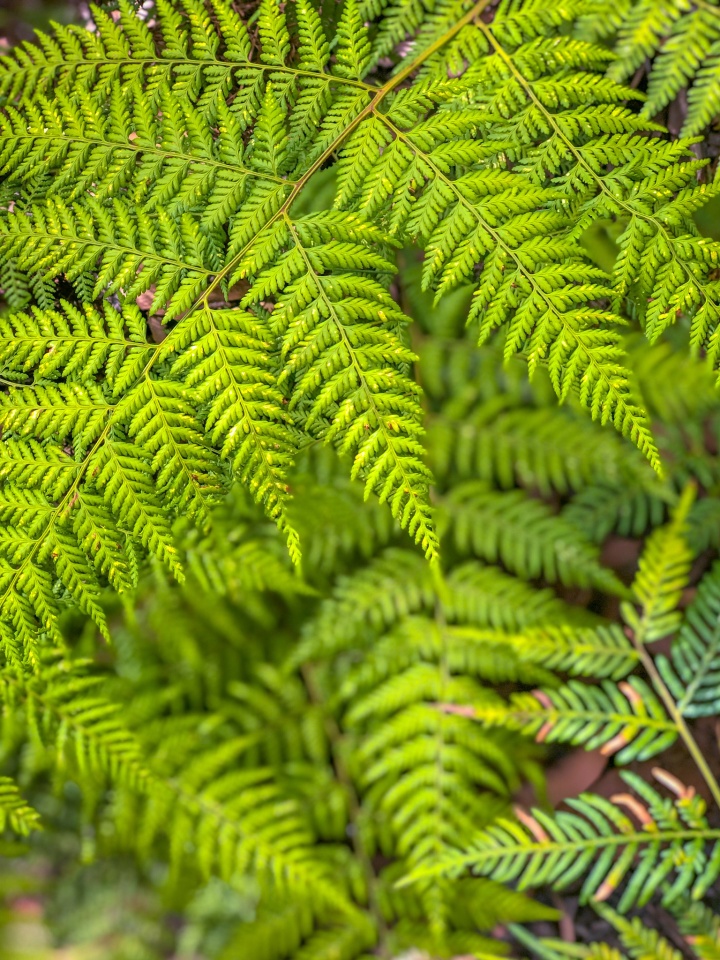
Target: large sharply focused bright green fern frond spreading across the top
{"type": "Point", "coordinates": [166, 166]}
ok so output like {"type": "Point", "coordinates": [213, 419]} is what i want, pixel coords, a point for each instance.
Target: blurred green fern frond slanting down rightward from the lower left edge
{"type": "Point", "coordinates": [237, 818]}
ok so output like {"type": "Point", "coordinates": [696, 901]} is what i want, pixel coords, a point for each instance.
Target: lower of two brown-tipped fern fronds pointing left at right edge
{"type": "Point", "coordinates": [600, 843]}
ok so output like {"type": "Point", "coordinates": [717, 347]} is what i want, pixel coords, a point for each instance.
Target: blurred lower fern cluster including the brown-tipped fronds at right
{"type": "Point", "coordinates": [343, 750]}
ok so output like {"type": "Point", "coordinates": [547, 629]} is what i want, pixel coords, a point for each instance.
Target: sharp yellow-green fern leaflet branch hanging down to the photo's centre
{"type": "Point", "coordinates": [344, 355]}
